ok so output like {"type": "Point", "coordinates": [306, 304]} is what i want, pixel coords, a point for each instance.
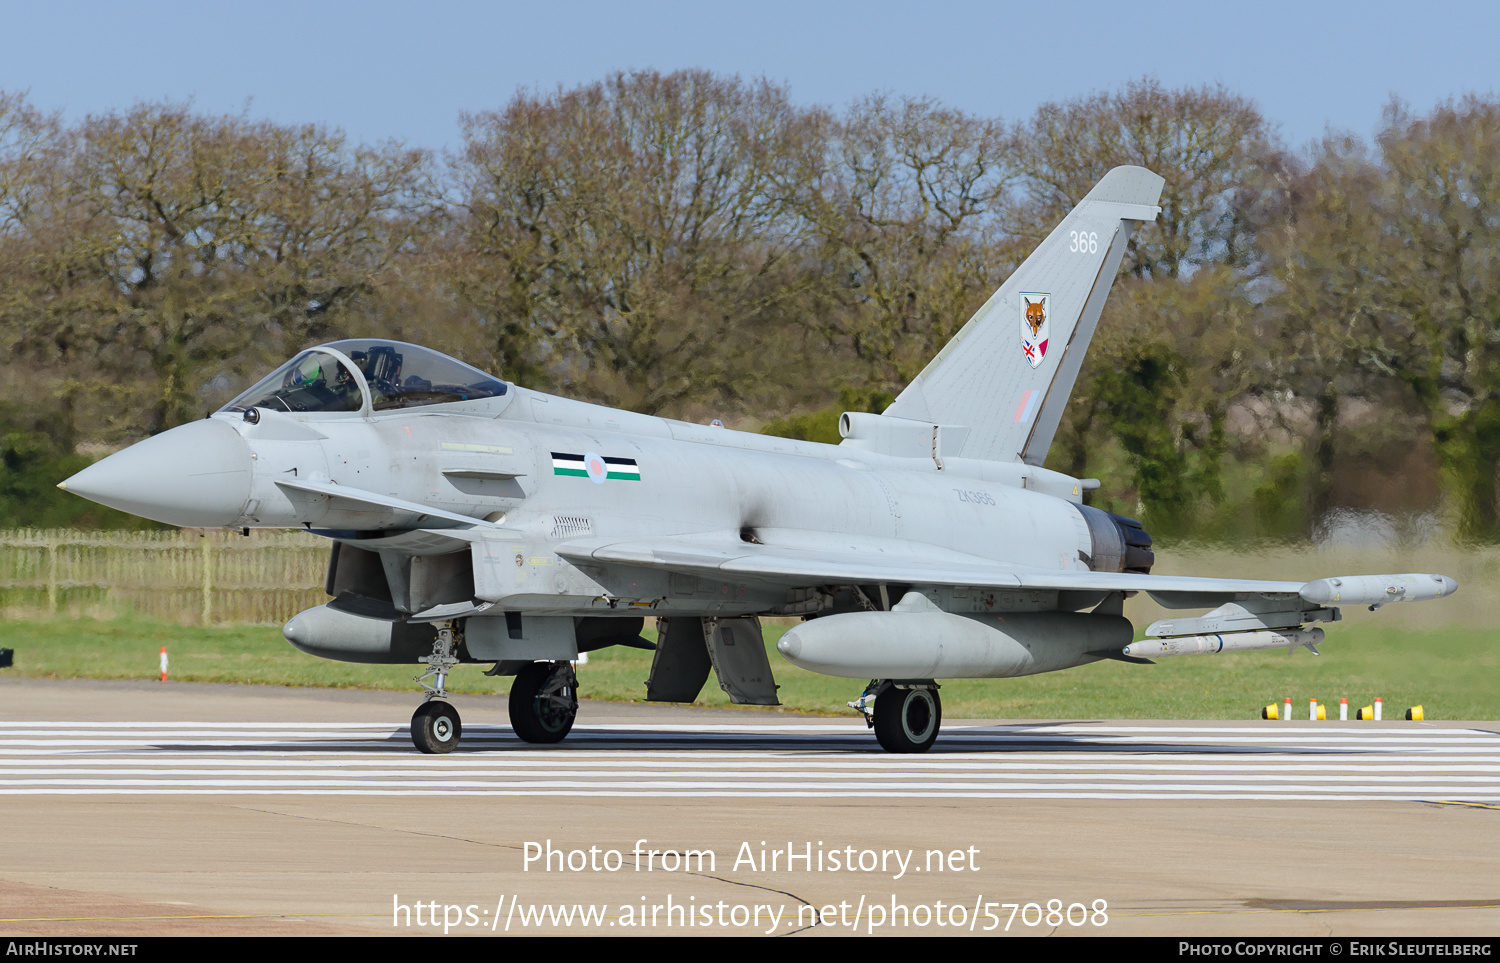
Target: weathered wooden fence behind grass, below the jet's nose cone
{"type": "Point", "coordinates": [185, 577]}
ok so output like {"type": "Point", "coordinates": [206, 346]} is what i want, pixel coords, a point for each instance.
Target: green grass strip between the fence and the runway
{"type": "Point", "coordinates": [1453, 674]}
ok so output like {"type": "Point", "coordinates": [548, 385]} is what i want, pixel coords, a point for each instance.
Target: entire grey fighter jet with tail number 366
{"type": "Point", "coordinates": [476, 521]}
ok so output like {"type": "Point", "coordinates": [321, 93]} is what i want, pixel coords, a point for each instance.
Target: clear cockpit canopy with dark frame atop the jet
{"type": "Point", "coordinates": [368, 374]}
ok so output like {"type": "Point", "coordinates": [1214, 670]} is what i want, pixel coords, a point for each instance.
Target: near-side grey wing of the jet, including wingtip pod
{"type": "Point", "coordinates": [830, 560]}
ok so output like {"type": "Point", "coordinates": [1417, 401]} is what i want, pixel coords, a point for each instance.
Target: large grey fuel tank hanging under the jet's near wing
{"type": "Point", "coordinates": [919, 641]}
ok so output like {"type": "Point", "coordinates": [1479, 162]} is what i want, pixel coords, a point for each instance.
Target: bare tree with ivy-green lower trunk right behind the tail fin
{"type": "Point", "coordinates": [1190, 311]}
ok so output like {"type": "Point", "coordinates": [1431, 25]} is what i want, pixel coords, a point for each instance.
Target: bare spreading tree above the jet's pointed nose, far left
{"type": "Point", "coordinates": [206, 242]}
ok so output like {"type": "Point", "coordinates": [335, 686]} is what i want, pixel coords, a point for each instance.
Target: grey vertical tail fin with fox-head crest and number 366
{"type": "Point", "coordinates": [1009, 373]}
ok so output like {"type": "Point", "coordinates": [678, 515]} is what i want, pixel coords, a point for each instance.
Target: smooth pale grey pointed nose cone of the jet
{"type": "Point", "coordinates": [197, 476]}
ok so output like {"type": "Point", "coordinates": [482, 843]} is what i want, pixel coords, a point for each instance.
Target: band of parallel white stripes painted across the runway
{"type": "Point", "coordinates": [1040, 761]}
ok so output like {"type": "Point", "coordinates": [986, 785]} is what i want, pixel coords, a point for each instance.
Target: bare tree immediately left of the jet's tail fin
{"type": "Point", "coordinates": [908, 208]}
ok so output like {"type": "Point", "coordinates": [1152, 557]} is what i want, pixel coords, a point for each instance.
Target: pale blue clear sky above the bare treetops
{"type": "Point", "coordinates": [383, 70]}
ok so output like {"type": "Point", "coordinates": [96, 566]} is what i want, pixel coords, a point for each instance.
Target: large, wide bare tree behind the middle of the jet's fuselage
{"type": "Point", "coordinates": [635, 238]}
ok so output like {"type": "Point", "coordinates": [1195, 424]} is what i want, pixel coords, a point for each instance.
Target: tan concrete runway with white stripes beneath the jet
{"type": "Point", "coordinates": [163, 809]}
